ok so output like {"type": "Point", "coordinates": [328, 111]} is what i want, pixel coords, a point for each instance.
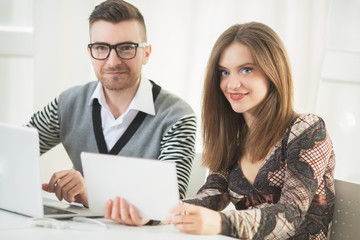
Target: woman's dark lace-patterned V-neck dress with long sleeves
{"type": "Point", "coordinates": [292, 196]}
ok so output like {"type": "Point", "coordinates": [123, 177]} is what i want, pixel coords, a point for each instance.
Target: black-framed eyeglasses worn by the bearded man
{"type": "Point", "coordinates": [101, 51]}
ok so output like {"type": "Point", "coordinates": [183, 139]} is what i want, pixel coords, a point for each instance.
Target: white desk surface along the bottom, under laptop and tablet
{"type": "Point", "coordinates": [14, 227]}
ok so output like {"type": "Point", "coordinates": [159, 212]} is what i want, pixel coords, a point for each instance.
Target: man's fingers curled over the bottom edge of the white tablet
{"type": "Point", "coordinates": [118, 210]}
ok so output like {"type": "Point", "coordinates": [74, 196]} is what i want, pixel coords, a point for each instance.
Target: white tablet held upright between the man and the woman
{"type": "Point", "coordinates": [150, 185]}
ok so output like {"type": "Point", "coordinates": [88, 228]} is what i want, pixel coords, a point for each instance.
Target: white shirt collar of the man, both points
{"type": "Point", "coordinates": [142, 101]}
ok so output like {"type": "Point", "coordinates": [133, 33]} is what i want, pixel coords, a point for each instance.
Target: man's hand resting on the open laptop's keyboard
{"type": "Point", "coordinates": [68, 185]}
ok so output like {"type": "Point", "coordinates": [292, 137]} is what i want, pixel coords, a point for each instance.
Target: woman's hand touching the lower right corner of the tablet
{"type": "Point", "coordinates": [195, 219]}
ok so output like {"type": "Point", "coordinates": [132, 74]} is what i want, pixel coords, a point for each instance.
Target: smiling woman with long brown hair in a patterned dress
{"type": "Point", "coordinates": [274, 165]}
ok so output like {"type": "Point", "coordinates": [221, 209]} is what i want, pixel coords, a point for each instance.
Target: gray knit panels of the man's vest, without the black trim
{"type": "Point", "coordinates": [76, 124]}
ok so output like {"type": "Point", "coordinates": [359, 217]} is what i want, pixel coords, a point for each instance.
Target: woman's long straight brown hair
{"type": "Point", "coordinates": [226, 136]}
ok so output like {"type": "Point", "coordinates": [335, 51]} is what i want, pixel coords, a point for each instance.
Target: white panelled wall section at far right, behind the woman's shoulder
{"type": "Point", "coordinates": [339, 95]}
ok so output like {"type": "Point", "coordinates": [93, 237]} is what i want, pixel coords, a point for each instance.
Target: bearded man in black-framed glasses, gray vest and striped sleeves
{"type": "Point", "coordinates": [123, 113]}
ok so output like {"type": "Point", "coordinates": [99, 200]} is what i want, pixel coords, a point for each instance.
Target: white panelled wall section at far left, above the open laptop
{"type": "Point", "coordinates": [16, 62]}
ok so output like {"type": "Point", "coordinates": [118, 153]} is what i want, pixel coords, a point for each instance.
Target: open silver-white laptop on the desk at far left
{"type": "Point", "coordinates": [20, 182]}
